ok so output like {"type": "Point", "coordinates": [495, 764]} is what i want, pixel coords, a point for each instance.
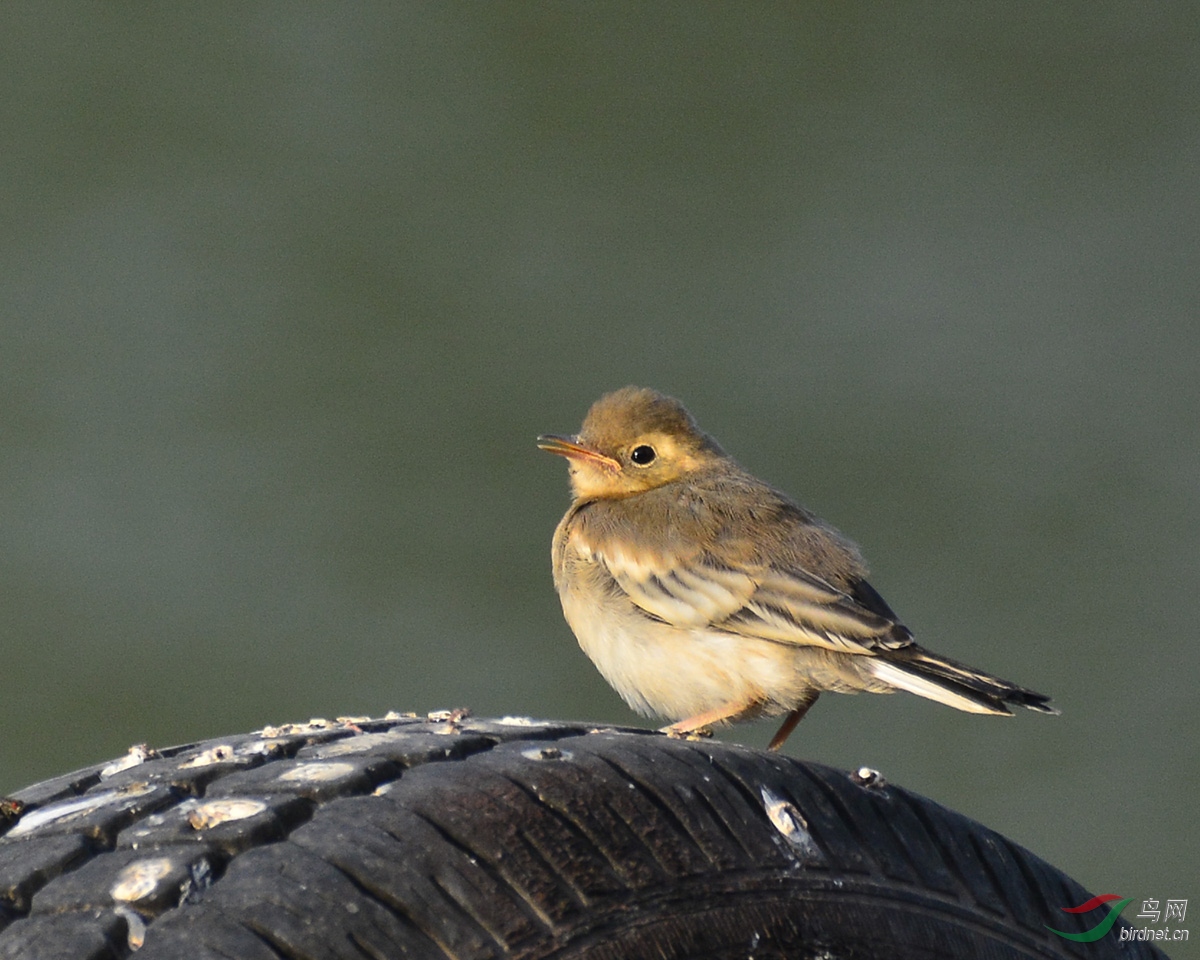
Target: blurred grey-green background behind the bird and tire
{"type": "Point", "coordinates": [291, 289]}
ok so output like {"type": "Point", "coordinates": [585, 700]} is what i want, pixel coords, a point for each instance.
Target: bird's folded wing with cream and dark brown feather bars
{"type": "Point", "coordinates": [783, 605]}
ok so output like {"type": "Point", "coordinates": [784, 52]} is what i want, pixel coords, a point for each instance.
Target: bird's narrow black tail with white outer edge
{"type": "Point", "coordinates": [955, 685]}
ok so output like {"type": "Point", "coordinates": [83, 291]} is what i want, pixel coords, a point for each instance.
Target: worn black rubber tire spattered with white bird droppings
{"type": "Point", "coordinates": [454, 838]}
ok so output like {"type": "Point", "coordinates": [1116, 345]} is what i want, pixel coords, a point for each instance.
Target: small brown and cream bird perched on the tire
{"type": "Point", "coordinates": [706, 597]}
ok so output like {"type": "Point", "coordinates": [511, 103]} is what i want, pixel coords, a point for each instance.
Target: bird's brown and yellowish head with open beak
{"type": "Point", "coordinates": [633, 440]}
